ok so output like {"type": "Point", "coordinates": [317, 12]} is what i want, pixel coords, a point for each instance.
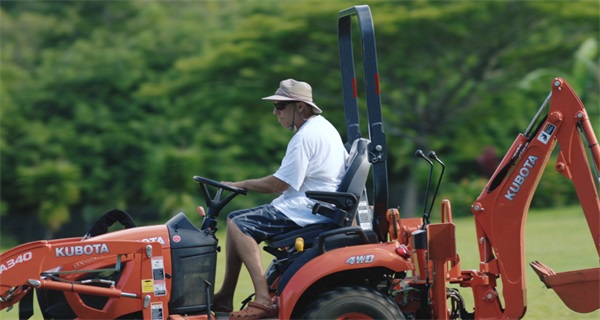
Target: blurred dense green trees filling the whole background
{"type": "Point", "coordinates": [119, 103]}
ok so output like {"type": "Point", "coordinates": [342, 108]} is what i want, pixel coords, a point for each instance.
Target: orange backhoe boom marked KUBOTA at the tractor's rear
{"type": "Point", "coordinates": [501, 209]}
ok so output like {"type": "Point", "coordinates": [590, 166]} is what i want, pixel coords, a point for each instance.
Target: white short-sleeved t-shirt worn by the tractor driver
{"type": "Point", "coordinates": [314, 160]}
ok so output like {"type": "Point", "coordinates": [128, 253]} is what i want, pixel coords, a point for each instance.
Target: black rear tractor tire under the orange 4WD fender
{"type": "Point", "coordinates": [352, 303]}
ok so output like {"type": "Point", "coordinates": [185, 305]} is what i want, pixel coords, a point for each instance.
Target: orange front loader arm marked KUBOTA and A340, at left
{"type": "Point", "coordinates": [24, 267]}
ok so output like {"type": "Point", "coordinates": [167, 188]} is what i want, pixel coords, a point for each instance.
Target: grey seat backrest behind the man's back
{"type": "Point", "coordinates": [357, 168]}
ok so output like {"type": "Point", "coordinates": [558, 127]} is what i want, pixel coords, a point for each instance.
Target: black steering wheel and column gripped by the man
{"type": "Point", "coordinates": [215, 204]}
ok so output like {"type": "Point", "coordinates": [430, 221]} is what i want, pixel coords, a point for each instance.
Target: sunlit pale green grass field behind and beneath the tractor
{"type": "Point", "coordinates": [559, 238]}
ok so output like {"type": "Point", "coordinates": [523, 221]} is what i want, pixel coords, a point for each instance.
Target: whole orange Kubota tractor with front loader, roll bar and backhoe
{"type": "Point", "coordinates": [366, 263]}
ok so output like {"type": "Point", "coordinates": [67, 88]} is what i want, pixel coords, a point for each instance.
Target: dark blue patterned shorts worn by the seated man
{"type": "Point", "coordinates": [263, 222]}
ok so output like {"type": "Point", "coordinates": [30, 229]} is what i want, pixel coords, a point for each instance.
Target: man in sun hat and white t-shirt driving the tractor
{"type": "Point", "coordinates": [314, 160]}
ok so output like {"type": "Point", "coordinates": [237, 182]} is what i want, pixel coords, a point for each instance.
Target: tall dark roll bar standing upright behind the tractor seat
{"type": "Point", "coordinates": [378, 146]}
